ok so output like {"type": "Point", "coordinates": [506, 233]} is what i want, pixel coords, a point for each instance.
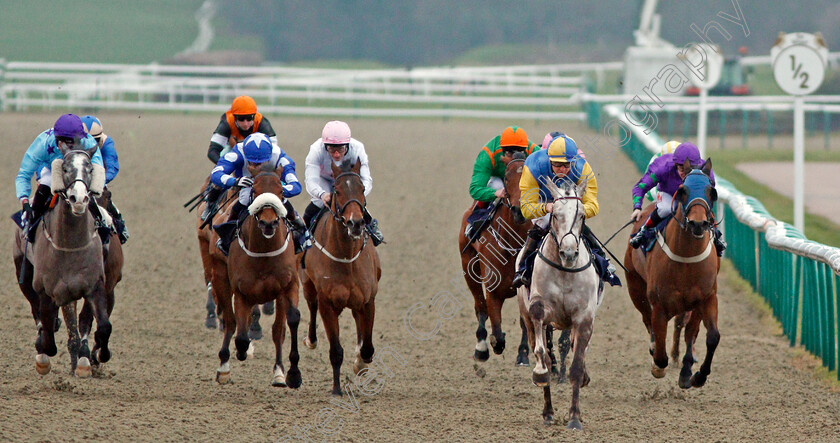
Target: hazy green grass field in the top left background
{"type": "Point", "coordinates": [113, 31]}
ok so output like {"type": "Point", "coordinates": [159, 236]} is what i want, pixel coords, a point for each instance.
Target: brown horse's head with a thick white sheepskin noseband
{"type": "Point", "coordinates": [267, 207]}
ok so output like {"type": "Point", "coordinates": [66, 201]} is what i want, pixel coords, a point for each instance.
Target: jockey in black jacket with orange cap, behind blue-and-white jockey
{"type": "Point", "coordinates": [240, 121]}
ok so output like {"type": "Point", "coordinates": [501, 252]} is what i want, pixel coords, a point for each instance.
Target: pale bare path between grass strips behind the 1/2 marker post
{"type": "Point", "coordinates": [821, 197]}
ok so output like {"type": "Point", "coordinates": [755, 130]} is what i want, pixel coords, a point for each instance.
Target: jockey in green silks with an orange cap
{"type": "Point", "coordinates": [487, 182]}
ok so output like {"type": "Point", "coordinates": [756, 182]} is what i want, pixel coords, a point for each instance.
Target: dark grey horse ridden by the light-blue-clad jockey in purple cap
{"type": "Point", "coordinates": [65, 265]}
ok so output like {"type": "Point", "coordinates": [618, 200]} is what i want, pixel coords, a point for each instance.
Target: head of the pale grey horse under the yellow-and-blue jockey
{"type": "Point", "coordinates": [567, 216]}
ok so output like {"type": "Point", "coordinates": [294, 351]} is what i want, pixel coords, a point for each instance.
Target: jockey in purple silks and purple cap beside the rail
{"type": "Point", "coordinates": [666, 173]}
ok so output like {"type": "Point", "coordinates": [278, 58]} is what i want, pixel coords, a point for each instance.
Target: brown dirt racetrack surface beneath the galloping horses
{"type": "Point", "coordinates": [160, 384]}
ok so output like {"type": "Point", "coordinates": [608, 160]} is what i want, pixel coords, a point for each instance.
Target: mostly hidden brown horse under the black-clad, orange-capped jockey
{"type": "Point", "coordinates": [206, 243]}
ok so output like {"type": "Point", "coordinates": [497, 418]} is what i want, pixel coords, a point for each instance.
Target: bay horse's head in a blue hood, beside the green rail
{"type": "Point", "coordinates": [694, 200]}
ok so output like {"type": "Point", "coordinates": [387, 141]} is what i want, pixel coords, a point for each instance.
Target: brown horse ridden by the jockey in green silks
{"type": "Point", "coordinates": [488, 264]}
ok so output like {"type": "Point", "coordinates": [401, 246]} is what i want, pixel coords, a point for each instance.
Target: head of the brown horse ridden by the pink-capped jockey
{"type": "Point", "coordinates": [349, 189]}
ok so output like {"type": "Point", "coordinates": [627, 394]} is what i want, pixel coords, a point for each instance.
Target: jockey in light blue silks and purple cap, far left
{"type": "Point", "coordinates": [68, 133]}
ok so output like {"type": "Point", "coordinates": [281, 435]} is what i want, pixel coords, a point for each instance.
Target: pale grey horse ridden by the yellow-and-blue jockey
{"type": "Point", "coordinates": [564, 293]}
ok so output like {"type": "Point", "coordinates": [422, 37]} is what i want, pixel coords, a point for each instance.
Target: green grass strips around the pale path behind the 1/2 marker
{"type": "Point", "coordinates": [817, 228]}
